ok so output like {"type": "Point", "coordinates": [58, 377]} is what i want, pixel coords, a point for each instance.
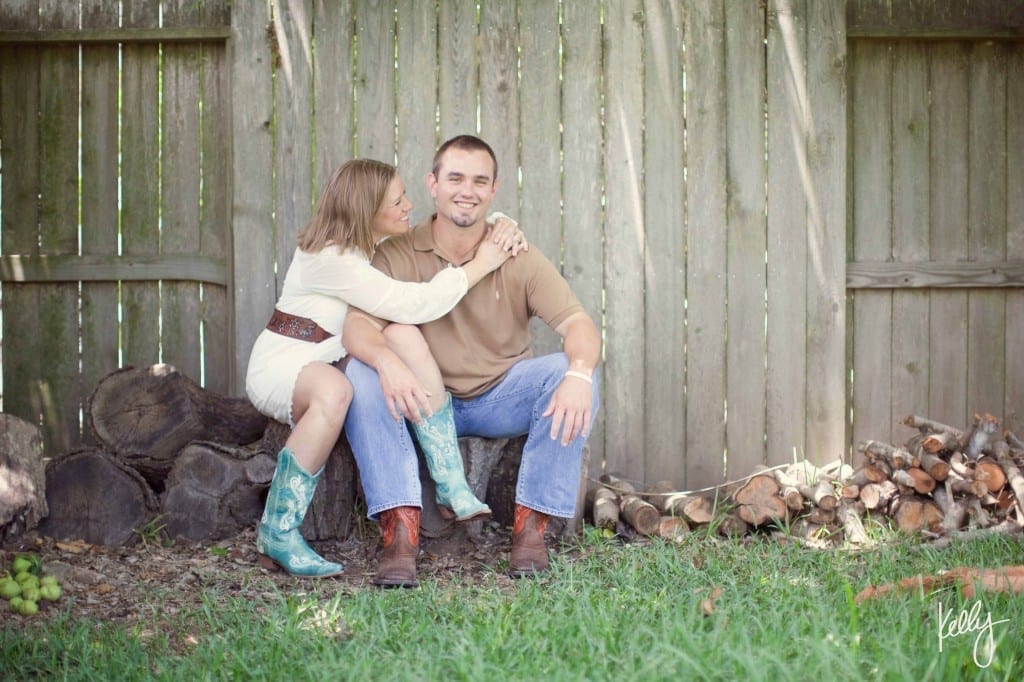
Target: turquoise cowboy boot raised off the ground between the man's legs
{"type": "Point", "coordinates": [441, 447]}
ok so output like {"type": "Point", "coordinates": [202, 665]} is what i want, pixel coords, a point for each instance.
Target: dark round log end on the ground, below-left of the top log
{"type": "Point", "coordinates": [97, 498]}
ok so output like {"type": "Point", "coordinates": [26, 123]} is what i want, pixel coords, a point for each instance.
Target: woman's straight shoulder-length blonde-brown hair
{"type": "Point", "coordinates": [346, 212]}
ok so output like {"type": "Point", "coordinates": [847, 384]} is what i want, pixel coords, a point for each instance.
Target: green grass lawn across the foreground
{"type": "Point", "coordinates": [607, 612]}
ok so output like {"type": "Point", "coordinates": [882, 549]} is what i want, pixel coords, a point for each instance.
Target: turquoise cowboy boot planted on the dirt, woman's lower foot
{"type": "Point", "coordinates": [278, 540]}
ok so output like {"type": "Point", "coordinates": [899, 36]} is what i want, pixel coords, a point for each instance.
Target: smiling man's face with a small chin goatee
{"type": "Point", "coordinates": [464, 187]}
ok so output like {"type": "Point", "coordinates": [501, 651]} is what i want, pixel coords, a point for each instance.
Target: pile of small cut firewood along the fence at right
{"type": "Point", "coordinates": [943, 482]}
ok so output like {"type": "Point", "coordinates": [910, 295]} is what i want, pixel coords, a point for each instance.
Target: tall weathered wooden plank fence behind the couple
{"type": "Point", "coordinates": [701, 170]}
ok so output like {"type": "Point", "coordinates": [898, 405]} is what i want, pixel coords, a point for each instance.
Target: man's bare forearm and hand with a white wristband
{"type": "Point", "coordinates": [571, 406]}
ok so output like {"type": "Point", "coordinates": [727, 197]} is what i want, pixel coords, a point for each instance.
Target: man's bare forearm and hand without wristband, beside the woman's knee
{"type": "Point", "coordinates": [363, 338]}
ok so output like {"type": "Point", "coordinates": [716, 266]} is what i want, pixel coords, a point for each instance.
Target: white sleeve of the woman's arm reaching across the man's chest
{"type": "Point", "coordinates": [352, 278]}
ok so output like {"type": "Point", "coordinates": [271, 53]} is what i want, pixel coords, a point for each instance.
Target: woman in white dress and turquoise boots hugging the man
{"type": "Point", "coordinates": [291, 377]}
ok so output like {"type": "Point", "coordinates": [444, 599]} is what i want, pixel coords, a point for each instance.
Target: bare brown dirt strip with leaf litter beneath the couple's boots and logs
{"type": "Point", "coordinates": [132, 584]}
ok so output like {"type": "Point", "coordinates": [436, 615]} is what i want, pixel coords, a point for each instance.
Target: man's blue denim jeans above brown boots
{"type": "Point", "coordinates": [549, 473]}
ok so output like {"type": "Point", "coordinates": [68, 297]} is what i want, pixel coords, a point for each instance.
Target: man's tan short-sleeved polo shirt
{"type": "Point", "coordinates": [489, 330]}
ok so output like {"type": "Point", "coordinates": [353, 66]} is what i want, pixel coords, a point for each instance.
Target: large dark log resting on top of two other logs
{"type": "Point", "coordinates": [147, 416]}
